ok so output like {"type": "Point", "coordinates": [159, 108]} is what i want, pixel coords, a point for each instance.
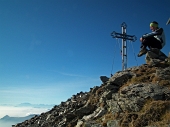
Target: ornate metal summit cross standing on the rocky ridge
{"type": "Point", "coordinates": [124, 38]}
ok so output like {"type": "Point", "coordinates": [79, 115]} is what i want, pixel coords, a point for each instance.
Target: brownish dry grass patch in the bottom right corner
{"type": "Point", "coordinates": [153, 113]}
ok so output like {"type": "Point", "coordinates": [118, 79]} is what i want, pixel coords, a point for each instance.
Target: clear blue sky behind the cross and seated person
{"type": "Point", "coordinates": [52, 49]}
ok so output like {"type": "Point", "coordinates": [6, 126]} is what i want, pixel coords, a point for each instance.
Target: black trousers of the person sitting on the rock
{"type": "Point", "coordinates": [151, 42]}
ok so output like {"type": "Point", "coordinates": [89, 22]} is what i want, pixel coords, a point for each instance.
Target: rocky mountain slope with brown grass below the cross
{"type": "Point", "coordinates": [136, 97]}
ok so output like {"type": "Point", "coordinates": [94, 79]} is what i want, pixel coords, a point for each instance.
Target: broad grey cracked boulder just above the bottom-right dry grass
{"type": "Point", "coordinates": [132, 98]}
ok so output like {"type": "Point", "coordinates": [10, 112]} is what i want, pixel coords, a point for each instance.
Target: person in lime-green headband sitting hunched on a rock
{"type": "Point", "coordinates": [154, 41]}
